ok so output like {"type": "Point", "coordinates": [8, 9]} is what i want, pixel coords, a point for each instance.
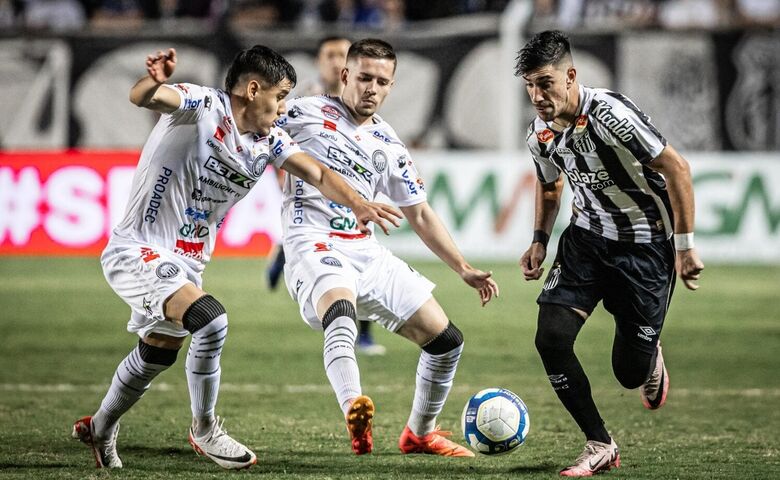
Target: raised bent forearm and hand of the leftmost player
{"type": "Point", "coordinates": [147, 92]}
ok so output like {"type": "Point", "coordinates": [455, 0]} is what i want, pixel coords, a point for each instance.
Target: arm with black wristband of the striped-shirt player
{"type": "Point", "coordinates": [548, 201]}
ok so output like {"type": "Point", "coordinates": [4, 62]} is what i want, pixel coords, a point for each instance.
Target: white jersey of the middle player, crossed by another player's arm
{"type": "Point", "coordinates": [370, 158]}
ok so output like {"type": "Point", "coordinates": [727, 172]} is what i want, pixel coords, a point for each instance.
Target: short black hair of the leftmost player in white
{"type": "Point", "coordinates": [268, 64]}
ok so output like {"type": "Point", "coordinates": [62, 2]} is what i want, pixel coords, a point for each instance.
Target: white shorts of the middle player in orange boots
{"type": "Point", "coordinates": [387, 289]}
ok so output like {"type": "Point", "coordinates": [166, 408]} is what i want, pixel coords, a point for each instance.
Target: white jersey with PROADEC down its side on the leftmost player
{"type": "Point", "coordinates": [193, 168]}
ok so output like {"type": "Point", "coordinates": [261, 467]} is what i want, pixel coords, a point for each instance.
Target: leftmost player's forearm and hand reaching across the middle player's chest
{"type": "Point", "coordinates": [333, 187]}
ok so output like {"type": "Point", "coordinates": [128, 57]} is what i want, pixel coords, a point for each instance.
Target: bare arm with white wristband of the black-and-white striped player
{"type": "Point", "coordinates": [677, 173]}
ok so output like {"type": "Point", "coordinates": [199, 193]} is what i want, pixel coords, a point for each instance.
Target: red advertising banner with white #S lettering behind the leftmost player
{"type": "Point", "coordinates": [66, 203]}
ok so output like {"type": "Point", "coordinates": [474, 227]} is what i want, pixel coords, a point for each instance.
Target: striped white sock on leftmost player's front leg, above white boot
{"type": "Point", "coordinates": [203, 372]}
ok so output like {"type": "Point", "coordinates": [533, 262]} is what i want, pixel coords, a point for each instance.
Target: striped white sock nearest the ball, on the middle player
{"type": "Point", "coordinates": [435, 374]}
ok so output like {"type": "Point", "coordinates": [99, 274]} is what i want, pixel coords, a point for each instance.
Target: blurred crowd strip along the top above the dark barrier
{"type": "Point", "coordinates": [387, 15]}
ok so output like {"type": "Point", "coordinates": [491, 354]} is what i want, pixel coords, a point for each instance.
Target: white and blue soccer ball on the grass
{"type": "Point", "coordinates": [495, 421]}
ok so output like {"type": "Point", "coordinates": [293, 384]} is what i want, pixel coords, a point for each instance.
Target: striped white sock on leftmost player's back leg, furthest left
{"type": "Point", "coordinates": [132, 378]}
